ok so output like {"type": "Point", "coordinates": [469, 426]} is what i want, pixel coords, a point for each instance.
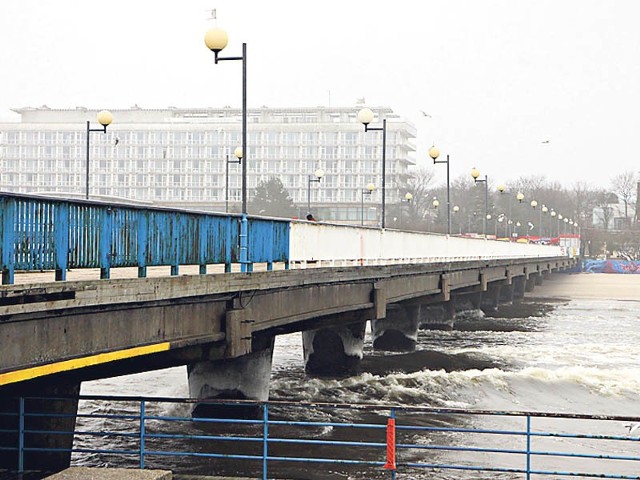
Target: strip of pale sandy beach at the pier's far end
{"type": "Point", "coordinates": [609, 286]}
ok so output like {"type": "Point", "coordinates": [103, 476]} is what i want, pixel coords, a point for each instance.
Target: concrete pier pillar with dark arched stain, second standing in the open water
{"type": "Point", "coordinates": [334, 350]}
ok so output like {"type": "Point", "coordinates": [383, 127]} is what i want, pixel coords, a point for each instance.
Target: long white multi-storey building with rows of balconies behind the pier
{"type": "Point", "coordinates": [177, 156]}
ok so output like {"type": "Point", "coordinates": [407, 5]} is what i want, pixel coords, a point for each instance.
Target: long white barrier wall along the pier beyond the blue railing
{"type": "Point", "coordinates": [343, 244]}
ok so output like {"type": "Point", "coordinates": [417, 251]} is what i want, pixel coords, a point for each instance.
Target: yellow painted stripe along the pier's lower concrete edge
{"type": "Point", "coordinates": [76, 363]}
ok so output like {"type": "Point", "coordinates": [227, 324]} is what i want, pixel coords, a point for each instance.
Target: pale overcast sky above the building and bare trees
{"type": "Point", "coordinates": [497, 77]}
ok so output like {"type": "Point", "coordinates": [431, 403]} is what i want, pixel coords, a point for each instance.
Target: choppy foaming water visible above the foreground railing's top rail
{"type": "Point", "coordinates": [578, 356]}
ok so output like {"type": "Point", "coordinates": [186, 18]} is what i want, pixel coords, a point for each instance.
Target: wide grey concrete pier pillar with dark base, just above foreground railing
{"type": "Point", "coordinates": [241, 378]}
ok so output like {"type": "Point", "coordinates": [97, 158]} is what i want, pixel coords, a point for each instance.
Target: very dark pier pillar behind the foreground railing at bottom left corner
{"type": "Point", "coordinates": [47, 416]}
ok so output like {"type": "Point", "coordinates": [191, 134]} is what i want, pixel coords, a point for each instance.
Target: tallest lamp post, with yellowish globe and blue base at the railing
{"type": "Point", "coordinates": [216, 40]}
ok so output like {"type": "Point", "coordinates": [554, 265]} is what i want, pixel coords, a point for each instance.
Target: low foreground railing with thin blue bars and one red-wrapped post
{"type": "Point", "coordinates": [361, 441]}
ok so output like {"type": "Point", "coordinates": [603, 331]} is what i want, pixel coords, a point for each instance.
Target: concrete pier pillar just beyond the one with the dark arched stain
{"type": "Point", "coordinates": [398, 332]}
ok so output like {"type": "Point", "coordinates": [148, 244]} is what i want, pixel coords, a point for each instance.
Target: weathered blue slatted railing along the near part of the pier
{"type": "Point", "coordinates": [40, 233]}
